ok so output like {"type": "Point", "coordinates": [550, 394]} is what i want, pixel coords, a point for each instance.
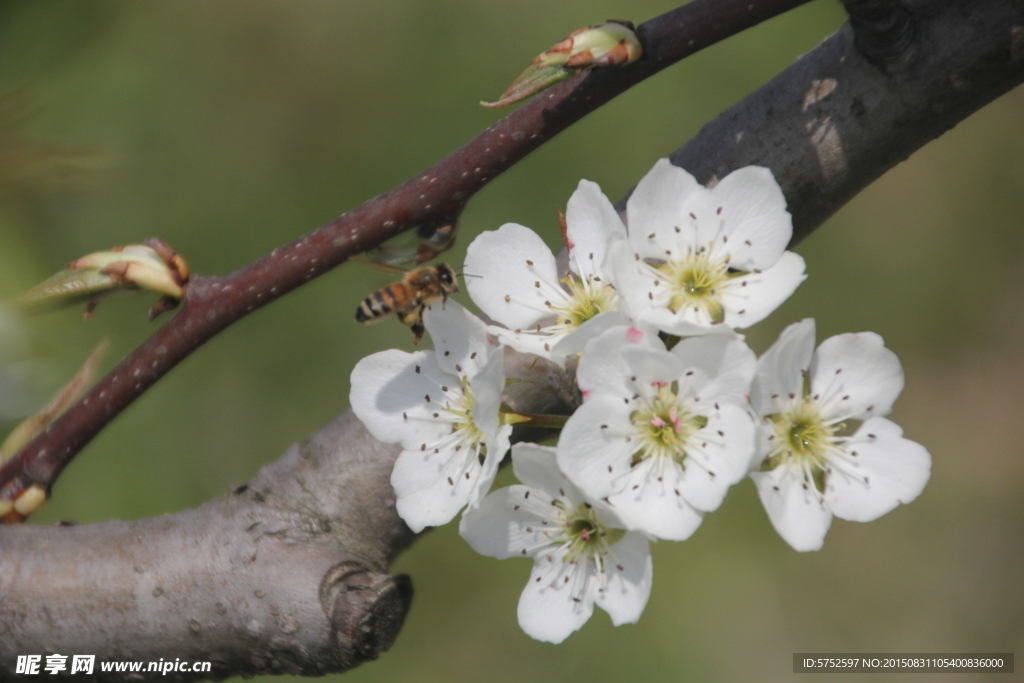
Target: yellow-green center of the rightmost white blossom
{"type": "Point", "coordinates": [802, 434]}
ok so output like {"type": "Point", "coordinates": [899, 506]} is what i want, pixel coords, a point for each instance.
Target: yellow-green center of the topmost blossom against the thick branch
{"type": "Point", "coordinates": [696, 282]}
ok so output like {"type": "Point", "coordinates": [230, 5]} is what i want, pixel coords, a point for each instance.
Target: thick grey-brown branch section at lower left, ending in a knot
{"type": "Point", "coordinates": [284, 575]}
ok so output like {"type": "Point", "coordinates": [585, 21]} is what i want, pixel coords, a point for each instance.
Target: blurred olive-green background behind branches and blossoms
{"type": "Point", "coordinates": [229, 129]}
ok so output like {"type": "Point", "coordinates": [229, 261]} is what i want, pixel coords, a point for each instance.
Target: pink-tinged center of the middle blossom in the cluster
{"type": "Point", "coordinates": [665, 428]}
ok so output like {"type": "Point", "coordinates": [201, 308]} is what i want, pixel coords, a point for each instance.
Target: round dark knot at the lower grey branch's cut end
{"type": "Point", "coordinates": [366, 610]}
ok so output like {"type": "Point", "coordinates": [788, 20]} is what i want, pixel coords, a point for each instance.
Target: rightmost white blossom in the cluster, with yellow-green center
{"type": "Point", "coordinates": [813, 468]}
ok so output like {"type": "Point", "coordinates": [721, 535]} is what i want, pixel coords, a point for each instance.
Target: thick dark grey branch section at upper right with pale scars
{"type": "Point", "coordinates": [834, 122]}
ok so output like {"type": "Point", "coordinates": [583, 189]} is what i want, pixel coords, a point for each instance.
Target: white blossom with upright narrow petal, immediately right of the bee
{"type": "Point", "coordinates": [513, 276]}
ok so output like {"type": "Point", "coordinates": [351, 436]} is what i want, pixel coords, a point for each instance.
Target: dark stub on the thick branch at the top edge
{"type": "Point", "coordinates": [884, 31]}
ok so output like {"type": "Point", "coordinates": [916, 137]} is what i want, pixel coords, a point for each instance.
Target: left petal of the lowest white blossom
{"type": "Point", "coordinates": [497, 528]}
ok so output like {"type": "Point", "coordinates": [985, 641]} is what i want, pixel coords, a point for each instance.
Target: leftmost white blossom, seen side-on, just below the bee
{"type": "Point", "coordinates": [442, 406]}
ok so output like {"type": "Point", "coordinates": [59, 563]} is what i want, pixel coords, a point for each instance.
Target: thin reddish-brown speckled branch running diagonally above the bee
{"type": "Point", "coordinates": [215, 304]}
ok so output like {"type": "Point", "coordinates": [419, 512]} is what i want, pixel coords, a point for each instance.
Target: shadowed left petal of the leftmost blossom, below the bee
{"type": "Point", "coordinates": [389, 395]}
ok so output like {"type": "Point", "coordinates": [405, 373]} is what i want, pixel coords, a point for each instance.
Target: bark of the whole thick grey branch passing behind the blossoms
{"type": "Point", "coordinates": [289, 574]}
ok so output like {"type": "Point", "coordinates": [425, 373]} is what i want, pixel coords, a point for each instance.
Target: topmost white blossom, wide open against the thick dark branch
{"type": "Point", "coordinates": [702, 260]}
